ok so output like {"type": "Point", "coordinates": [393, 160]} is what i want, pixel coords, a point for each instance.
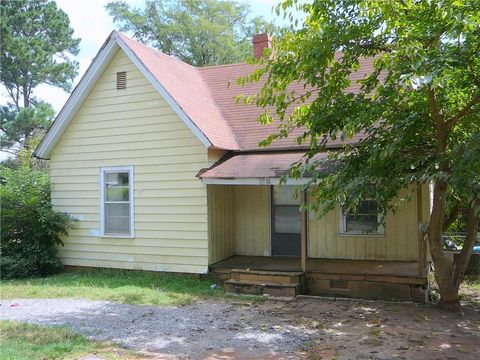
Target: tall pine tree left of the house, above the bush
{"type": "Point", "coordinates": [36, 44]}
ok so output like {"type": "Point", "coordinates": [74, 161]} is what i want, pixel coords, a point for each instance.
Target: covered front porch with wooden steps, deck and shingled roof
{"type": "Point", "coordinates": [263, 241]}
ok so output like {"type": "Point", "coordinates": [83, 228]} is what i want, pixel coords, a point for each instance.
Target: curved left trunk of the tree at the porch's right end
{"type": "Point", "coordinates": [443, 268]}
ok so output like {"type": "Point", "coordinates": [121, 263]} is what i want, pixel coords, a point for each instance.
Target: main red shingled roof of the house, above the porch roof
{"type": "Point", "coordinates": [205, 96]}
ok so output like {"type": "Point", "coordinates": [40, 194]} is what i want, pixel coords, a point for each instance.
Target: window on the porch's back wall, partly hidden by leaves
{"type": "Point", "coordinates": [364, 221]}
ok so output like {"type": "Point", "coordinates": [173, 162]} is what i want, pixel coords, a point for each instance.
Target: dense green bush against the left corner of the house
{"type": "Point", "coordinates": [30, 228]}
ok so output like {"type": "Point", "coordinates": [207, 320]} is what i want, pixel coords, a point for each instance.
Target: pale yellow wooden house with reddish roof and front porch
{"type": "Point", "coordinates": [162, 169]}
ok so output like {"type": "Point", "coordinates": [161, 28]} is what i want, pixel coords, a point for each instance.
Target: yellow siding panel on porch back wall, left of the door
{"type": "Point", "coordinates": [252, 220]}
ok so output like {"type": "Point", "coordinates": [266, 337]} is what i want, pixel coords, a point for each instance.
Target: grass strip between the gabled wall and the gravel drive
{"type": "Point", "coordinates": [133, 287]}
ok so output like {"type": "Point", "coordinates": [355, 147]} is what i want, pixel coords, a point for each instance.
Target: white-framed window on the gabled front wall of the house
{"type": "Point", "coordinates": [116, 201]}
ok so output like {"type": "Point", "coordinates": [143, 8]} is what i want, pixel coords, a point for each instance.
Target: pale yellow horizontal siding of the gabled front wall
{"type": "Point", "coordinates": [135, 127]}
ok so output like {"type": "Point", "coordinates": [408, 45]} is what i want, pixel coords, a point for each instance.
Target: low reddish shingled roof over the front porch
{"type": "Point", "coordinates": [260, 168]}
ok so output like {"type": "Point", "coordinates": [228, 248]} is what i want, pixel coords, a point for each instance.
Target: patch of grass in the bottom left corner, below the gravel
{"type": "Point", "coordinates": [19, 341]}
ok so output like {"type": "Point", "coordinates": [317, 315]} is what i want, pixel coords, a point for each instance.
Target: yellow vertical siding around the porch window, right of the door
{"type": "Point", "coordinates": [398, 243]}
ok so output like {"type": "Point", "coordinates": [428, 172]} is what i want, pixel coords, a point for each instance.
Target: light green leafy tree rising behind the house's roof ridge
{"type": "Point", "coordinates": [200, 33]}
